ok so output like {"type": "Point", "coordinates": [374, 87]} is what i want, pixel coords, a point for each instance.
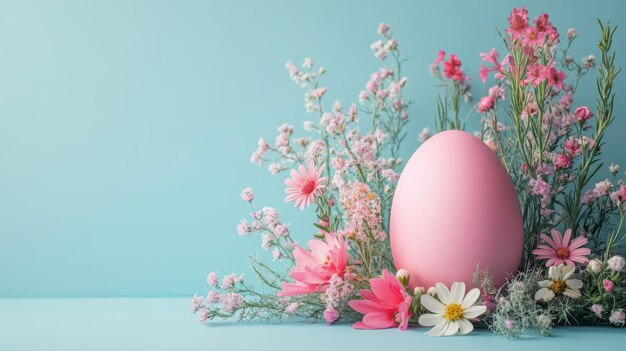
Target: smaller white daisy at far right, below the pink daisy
{"type": "Point", "coordinates": [559, 283]}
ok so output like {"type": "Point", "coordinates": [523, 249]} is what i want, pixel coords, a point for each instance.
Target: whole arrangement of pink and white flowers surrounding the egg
{"type": "Point", "coordinates": [571, 269]}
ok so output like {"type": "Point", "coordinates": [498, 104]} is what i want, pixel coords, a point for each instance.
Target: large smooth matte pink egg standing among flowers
{"type": "Point", "coordinates": [455, 207]}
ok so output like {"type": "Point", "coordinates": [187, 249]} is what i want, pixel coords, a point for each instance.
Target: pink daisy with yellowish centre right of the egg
{"type": "Point", "coordinates": [560, 251]}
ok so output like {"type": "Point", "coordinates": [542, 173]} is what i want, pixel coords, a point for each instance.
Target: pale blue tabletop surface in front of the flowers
{"type": "Point", "coordinates": [167, 324]}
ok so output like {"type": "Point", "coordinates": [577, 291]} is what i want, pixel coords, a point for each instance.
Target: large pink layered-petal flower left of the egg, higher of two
{"type": "Point", "coordinates": [315, 267]}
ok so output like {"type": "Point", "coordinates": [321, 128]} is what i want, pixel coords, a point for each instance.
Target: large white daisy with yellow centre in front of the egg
{"type": "Point", "coordinates": [452, 311]}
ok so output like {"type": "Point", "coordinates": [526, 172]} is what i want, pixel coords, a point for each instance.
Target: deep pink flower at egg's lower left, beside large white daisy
{"type": "Point", "coordinates": [387, 305]}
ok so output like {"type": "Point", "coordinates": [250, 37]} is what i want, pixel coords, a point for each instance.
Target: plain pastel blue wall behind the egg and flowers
{"type": "Point", "coordinates": [126, 126]}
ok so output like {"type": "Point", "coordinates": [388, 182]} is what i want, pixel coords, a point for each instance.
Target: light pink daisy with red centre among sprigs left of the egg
{"type": "Point", "coordinates": [305, 185]}
